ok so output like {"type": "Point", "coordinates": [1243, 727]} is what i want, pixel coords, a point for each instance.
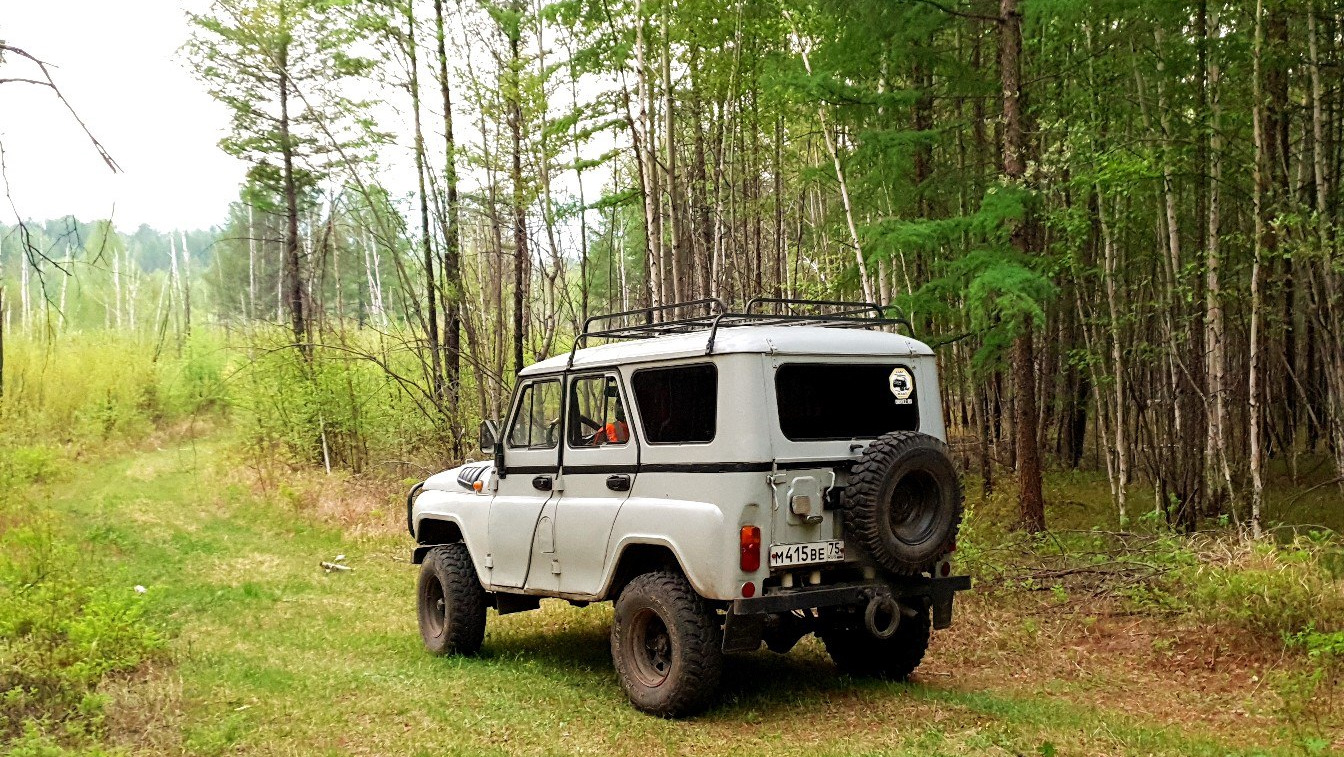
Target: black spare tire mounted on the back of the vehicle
{"type": "Point", "coordinates": [904, 502]}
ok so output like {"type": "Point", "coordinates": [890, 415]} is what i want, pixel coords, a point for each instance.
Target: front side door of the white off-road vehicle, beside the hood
{"type": "Point", "coordinates": [532, 459]}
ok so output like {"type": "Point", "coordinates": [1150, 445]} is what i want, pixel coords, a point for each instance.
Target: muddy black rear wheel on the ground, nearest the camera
{"type": "Point", "coordinates": [667, 646]}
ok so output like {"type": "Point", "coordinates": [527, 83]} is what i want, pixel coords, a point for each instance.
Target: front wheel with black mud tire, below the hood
{"type": "Point", "coordinates": [451, 602]}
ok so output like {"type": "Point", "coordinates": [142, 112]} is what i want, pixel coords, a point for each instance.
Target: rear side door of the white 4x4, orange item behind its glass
{"type": "Point", "coordinates": [601, 459]}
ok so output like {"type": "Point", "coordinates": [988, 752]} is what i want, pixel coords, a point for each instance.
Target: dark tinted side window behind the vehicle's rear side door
{"type": "Point", "coordinates": [678, 405]}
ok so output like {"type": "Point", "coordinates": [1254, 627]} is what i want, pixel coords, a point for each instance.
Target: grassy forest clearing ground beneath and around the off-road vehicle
{"type": "Point", "coordinates": [268, 654]}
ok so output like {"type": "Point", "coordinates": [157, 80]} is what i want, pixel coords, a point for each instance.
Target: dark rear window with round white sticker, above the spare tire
{"type": "Point", "coordinates": [846, 401]}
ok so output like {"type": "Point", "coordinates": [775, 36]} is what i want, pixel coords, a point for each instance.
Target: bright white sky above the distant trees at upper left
{"type": "Point", "coordinates": [118, 64]}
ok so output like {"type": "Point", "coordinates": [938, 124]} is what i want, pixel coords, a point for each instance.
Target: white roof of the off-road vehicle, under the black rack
{"type": "Point", "coordinates": [760, 340]}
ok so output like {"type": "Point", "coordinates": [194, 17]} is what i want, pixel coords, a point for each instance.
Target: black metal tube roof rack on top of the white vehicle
{"type": "Point", "coordinates": [710, 315]}
